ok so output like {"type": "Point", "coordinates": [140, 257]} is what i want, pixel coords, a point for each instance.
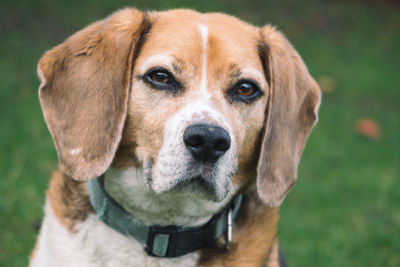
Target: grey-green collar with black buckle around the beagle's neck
{"type": "Point", "coordinates": [162, 241]}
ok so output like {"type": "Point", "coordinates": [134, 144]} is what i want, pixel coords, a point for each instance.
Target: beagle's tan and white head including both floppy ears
{"type": "Point", "coordinates": [201, 102]}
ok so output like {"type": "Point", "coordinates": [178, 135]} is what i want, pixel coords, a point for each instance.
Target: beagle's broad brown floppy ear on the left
{"type": "Point", "coordinates": [85, 88]}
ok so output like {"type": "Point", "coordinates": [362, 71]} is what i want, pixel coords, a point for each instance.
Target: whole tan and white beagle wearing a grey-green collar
{"type": "Point", "coordinates": [178, 135]}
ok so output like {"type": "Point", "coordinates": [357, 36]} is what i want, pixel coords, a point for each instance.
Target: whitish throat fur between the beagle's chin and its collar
{"type": "Point", "coordinates": [128, 187]}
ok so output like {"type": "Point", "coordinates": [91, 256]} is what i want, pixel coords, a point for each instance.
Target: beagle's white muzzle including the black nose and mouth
{"type": "Point", "coordinates": [197, 158]}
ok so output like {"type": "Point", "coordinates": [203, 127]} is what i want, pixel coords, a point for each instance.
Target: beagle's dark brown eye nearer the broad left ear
{"type": "Point", "coordinates": [161, 79]}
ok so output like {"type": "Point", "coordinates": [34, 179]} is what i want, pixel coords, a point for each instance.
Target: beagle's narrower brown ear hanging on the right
{"type": "Point", "coordinates": [290, 115]}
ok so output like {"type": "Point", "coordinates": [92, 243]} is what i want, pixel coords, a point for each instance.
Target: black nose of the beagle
{"type": "Point", "coordinates": [206, 142]}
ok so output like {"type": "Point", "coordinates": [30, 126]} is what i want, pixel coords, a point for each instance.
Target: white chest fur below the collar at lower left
{"type": "Point", "coordinates": [94, 244]}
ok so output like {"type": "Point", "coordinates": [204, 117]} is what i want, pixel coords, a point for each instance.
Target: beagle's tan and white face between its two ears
{"type": "Point", "coordinates": [199, 95]}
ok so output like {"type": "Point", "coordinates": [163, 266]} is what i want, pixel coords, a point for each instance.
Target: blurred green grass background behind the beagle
{"type": "Point", "coordinates": [344, 210]}
